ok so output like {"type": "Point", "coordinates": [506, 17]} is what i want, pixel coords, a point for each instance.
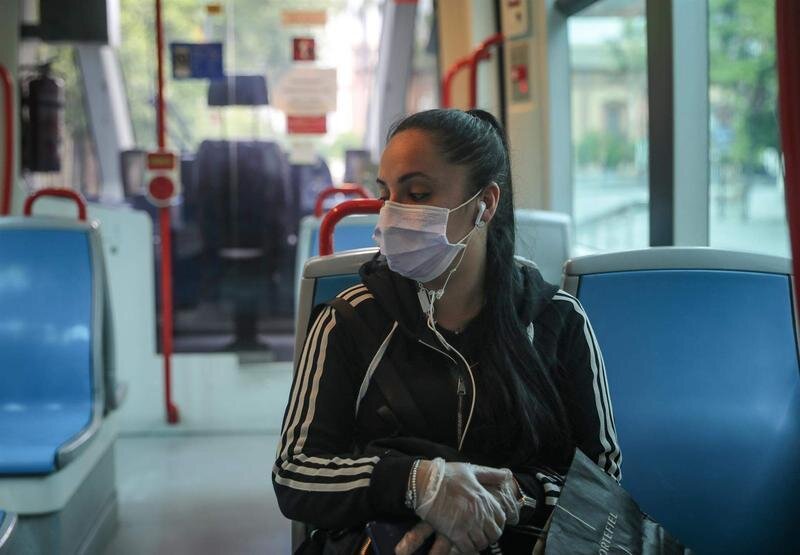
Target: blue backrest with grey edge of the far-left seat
{"type": "Point", "coordinates": [51, 319]}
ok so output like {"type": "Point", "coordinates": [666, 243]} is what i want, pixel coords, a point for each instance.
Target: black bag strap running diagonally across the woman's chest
{"type": "Point", "coordinates": [388, 380]}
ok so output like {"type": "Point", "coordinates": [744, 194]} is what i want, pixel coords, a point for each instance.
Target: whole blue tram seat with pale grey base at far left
{"type": "Point", "coordinates": [56, 422]}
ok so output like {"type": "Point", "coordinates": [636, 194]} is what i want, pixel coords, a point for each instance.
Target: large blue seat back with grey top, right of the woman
{"type": "Point", "coordinates": [701, 356]}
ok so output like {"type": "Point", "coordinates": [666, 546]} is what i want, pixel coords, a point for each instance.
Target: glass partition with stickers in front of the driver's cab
{"type": "Point", "coordinates": [247, 182]}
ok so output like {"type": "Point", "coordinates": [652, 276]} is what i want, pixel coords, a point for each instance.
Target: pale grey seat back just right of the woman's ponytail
{"type": "Point", "coordinates": [544, 237]}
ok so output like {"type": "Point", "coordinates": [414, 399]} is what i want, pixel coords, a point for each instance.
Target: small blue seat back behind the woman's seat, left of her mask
{"type": "Point", "coordinates": [352, 232]}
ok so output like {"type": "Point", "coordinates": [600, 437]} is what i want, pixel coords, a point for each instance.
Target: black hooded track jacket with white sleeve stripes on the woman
{"type": "Point", "coordinates": [344, 456]}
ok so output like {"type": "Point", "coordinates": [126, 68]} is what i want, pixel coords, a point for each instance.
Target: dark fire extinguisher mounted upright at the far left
{"type": "Point", "coordinates": [42, 121]}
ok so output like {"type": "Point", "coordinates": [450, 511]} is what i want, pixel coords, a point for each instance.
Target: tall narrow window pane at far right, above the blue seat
{"type": "Point", "coordinates": [746, 208]}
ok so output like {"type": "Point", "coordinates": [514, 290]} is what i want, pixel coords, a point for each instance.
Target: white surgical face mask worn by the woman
{"type": "Point", "coordinates": [414, 240]}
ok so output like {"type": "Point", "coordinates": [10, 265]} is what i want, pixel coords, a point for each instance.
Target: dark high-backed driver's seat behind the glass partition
{"type": "Point", "coordinates": [244, 200]}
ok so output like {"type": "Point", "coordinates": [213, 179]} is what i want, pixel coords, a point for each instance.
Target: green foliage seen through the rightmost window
{"type": "Point", "coordinates": [743, 77]}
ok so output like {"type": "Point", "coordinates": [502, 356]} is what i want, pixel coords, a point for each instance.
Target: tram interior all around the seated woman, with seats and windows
{"type": "Point", "coordinates": [148, 336]}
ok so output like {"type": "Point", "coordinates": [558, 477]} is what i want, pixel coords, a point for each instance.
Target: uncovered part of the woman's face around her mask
{"type": "Point", "coordinates": [413, 172]}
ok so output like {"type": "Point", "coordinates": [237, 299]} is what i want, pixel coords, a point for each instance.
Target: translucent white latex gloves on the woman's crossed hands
{"type": "Point", "coordinates": [452, 499]}
